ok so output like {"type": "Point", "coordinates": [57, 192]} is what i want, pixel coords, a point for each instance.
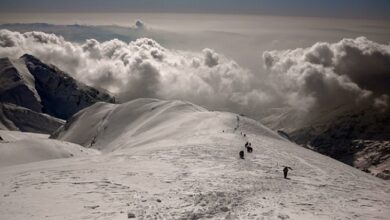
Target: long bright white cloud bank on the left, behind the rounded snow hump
{"type": "Point", "coordinates": [143, 68]}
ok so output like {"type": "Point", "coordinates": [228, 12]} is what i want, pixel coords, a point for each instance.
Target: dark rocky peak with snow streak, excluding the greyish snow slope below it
{"type": "Point", "coordinates": [53, 91]}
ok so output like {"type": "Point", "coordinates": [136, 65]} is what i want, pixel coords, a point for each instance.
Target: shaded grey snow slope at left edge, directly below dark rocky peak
{"type": "Point", "coordinates": [16, 118]}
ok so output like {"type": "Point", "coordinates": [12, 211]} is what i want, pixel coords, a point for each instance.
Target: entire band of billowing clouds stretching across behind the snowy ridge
{"type": "Point", "coordinates": [351, 72]}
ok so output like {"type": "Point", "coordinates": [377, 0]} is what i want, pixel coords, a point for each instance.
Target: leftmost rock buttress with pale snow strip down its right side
{"type": "Point", "coordinates": [17, 87]}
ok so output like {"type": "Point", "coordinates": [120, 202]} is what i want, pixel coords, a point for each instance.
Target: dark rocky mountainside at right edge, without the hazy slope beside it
{"type": "Point", "coordinates": [359, 139]}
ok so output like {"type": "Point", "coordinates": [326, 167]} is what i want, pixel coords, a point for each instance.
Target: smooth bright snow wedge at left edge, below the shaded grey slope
{"type": "Point", "coordinates": [20, 148]}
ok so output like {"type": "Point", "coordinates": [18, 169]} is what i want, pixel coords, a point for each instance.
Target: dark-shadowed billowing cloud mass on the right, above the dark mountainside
{"type": "Point", "coordinates": [352, 72]}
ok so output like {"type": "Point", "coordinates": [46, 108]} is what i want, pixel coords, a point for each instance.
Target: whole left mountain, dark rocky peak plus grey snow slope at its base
{"type": "Point", "coordinates": [38, 90]}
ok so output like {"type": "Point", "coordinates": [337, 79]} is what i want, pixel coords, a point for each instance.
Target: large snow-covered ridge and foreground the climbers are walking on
{"type": "Point", "coordinates": [175, 160]}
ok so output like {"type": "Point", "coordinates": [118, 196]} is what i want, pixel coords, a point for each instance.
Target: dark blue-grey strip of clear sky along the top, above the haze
{"type": "Point", "coordinates": [373, 9]}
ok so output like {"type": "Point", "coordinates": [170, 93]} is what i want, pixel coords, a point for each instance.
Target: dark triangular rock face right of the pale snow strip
{"type": "Point", "coordinates": [62, 96]}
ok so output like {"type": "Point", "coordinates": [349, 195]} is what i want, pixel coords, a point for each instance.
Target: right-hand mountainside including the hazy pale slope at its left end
{"type": "Point", "coordinates": [360, 138]}
